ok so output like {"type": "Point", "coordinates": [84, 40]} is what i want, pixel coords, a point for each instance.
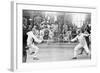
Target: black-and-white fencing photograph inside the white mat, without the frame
{"type": "Point", "coordinates": [50, 36]}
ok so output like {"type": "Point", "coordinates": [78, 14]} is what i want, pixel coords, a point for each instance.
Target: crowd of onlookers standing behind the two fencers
{"type": "Point", "coordinates": [52, 31]}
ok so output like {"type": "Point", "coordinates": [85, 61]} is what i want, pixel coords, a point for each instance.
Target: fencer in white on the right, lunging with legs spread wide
{"type": "Point", "coordinates": [82, 43]}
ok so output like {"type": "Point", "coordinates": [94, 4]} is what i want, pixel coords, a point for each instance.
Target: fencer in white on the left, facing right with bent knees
{"type": "Point", "coordinates": [33, 49]}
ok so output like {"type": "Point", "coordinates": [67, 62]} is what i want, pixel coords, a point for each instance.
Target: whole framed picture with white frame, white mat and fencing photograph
{"type": "Point", "coordinates": [52, 36]}
